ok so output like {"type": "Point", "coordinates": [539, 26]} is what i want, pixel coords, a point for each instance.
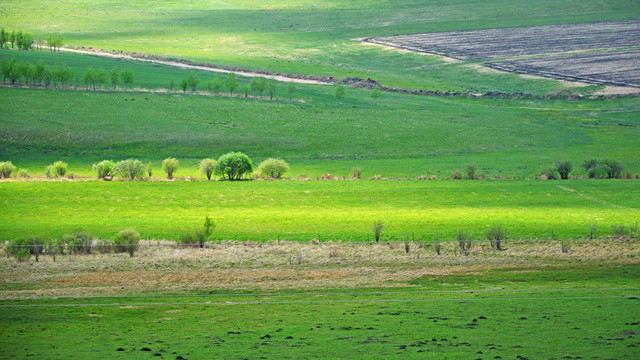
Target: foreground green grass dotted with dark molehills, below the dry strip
{"type": "Point", "coordinates": [592, 321]}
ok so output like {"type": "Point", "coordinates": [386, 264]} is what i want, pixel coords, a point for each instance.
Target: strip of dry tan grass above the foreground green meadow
{"type": "Point", "coordinates": [269, 267]}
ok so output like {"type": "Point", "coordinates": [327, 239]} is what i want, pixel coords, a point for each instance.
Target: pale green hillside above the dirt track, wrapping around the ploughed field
{"type": "Point", "coordinates": [309, 37]}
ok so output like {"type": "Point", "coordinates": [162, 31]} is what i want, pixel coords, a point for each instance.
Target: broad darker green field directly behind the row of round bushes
{"type": "Point", "coordinates": [403, 136]}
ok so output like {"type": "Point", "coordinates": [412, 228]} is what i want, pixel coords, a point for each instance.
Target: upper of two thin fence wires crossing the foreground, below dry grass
{"type": "Point", "coordinates": [279, 294]}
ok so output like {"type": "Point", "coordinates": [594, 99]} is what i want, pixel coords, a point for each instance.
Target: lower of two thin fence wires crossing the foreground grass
{"type": "Point", "coordinates": [230, 303]}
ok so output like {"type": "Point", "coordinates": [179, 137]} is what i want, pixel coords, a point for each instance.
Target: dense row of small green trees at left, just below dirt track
{"type": "Point", "coordinates": [43, 74]}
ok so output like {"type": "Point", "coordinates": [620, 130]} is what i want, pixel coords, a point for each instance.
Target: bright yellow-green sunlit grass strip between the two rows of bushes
{"type": "Point", "coordinates": [324, 210]}
